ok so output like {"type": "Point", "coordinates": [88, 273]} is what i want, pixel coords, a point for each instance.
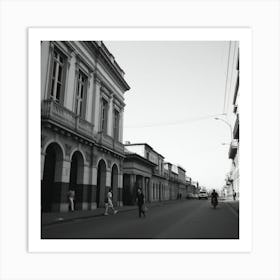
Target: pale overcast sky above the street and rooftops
{"type": "Point", "coordinates": [177, 88]}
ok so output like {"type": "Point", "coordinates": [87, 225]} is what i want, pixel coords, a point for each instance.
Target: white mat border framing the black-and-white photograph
{"type": "Point", "coordinates": [243, 35]}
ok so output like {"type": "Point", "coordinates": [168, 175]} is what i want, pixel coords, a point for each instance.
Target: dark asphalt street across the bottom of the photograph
{"type": "Point", "coordinates": [192, 219]}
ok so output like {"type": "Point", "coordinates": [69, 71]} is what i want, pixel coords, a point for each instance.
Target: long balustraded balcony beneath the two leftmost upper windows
{"type": "Point", "coordinates": [51, 110]}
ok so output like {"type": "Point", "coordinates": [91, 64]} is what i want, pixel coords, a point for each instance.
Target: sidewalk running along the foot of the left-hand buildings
{"type": "Point", "coordinates": [62, 217]}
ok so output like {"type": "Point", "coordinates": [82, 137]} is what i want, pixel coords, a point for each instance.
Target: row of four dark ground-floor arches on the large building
{"type": "Point", "coordinates": [56, 181]}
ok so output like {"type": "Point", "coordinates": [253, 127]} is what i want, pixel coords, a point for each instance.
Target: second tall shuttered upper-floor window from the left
{"type": "Point", "coordinates": [81, 94]}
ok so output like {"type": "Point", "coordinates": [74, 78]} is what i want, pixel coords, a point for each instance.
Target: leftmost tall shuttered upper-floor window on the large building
{"type": "Point", "coordinates": [57, 77]}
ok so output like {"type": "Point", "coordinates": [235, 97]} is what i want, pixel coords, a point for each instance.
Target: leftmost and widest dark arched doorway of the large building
{"type": "Point", "coordinates": [51, 174]}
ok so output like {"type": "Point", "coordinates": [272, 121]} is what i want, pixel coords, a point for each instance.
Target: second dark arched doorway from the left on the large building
{"type": "Point", "coordinates": [76, 178]}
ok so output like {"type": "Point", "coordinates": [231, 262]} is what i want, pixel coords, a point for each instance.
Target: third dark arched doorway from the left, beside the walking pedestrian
{"type": "Point", "coordinates": [101, 183]}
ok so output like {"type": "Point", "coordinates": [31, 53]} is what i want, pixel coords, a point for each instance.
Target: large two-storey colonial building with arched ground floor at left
{"type": "Point", "coordinates": [82, 104]}
